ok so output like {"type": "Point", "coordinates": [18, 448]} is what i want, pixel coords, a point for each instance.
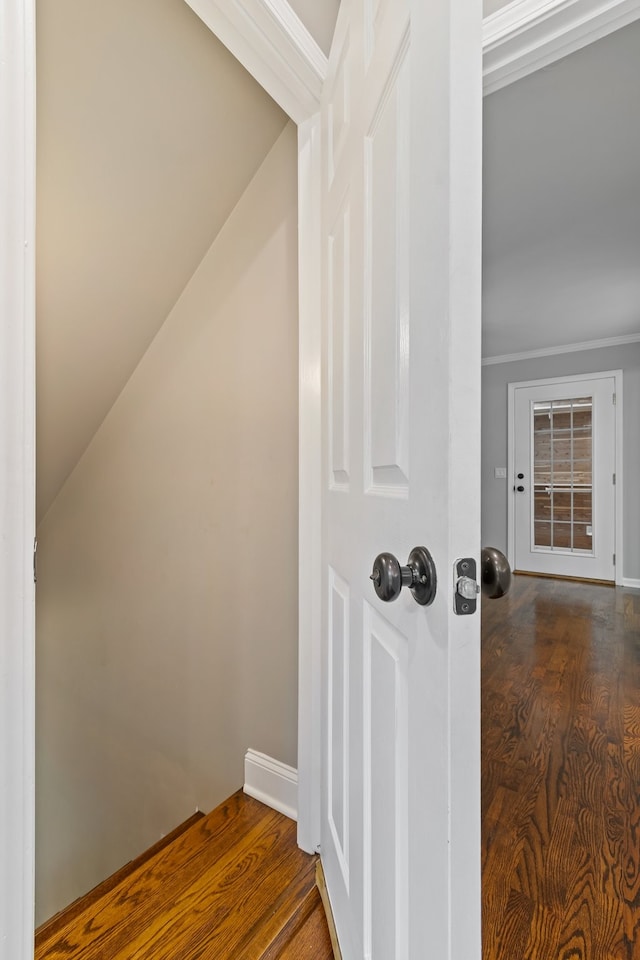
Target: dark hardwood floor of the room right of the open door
{"type": "Point", "coordinates": [561, 772]}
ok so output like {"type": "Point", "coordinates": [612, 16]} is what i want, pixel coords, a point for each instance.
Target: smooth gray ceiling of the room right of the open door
{"type": "Point", "coordinates": [562, 201]}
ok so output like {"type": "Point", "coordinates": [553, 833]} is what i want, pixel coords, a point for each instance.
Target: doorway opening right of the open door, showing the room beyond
{"type": "Point", "coordinates": [560, 679]}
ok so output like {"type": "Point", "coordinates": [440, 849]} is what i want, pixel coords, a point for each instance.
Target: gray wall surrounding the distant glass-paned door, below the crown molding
{"type": "Point", "coordinates": [495, 378]}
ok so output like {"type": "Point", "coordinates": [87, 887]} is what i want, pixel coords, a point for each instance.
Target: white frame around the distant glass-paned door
{"type": "Point", "coordinates": [617, 376]}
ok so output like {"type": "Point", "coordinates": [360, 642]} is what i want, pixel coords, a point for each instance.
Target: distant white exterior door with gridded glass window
{"type": "Point", "coordinates": [563, 468]}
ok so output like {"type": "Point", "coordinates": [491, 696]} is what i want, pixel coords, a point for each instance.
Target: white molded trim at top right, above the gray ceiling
{"type": "Point", "coordinates": [528, 34]}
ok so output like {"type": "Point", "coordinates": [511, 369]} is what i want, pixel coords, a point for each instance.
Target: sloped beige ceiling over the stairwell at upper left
{"type": "Point", "coordinates": [134, 182]}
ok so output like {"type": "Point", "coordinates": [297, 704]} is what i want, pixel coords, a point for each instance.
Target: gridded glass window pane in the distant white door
{"type": "Point", "coordinates": [562, 474]}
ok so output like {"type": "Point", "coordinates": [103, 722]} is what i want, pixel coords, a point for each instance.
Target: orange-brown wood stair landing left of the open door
{"type": "Point", "coordinates": [232, 886]}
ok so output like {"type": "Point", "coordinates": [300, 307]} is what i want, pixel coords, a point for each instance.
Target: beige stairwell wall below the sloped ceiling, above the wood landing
{"type": "Point", "coordinates": [168, 564]}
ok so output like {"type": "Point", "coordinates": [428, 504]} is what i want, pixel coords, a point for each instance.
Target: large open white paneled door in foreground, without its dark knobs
{"type": "Point", "coordinates": [401, 303]}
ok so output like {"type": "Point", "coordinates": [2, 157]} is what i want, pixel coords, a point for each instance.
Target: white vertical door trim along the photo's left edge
{"type": "Point", "coordinates": [17, 477]}
